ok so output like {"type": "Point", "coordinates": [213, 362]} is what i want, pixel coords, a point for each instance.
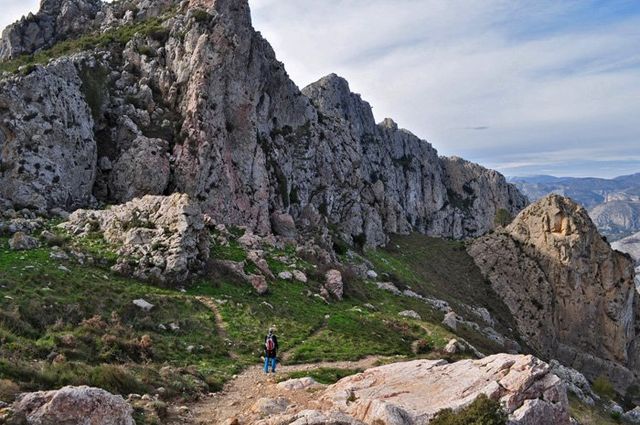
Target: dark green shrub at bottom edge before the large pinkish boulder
{"type": "Point", "coordinates": [483, 411]}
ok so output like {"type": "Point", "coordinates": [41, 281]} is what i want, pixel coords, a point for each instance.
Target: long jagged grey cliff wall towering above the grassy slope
{"type": "Point", "coordinates": [203, 107]}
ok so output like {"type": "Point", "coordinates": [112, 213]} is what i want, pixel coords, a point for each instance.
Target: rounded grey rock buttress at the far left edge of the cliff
{"type": "Point", "coordinates": [47, 146]}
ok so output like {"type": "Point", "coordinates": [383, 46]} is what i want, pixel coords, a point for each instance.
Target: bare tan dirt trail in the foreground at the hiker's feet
{"type": "Point", "coordinates": [239, 396]}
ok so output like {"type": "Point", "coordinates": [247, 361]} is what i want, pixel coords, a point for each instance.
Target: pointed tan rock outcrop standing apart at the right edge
{"type": "Point", "coordinates": [573, 297]}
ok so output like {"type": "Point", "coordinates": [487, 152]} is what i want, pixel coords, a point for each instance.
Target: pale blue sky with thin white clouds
{"type": "Point", "coordinates": [525, 87]}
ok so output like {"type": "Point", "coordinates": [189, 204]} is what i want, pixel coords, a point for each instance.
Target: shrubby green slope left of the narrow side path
{"type": "Point", "coordinates": [75, 324]}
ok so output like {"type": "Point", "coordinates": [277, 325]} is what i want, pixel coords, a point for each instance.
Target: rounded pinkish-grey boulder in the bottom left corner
{"type": "Point", "coordinates": [74, 405]}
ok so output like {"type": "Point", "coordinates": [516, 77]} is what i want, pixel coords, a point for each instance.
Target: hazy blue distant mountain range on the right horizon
{"type": "Point", "coordinates": [613, 204]}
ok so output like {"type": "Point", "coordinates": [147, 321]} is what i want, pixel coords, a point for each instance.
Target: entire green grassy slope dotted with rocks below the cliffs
{"type": "Point", "coordinates": [84, 315]}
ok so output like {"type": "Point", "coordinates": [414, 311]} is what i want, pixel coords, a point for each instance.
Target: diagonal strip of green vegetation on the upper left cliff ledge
{"type": "Point", "coordinates": [118, 36]}
